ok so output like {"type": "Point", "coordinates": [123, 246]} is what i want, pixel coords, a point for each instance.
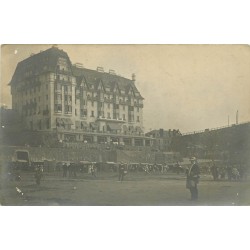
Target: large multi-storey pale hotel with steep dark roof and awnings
{"type": "Point", "coordinates": [78, 104]}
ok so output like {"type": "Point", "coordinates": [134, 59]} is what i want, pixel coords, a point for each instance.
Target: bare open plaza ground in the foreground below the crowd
{"type": "Point", "coordinates": [137, 189]}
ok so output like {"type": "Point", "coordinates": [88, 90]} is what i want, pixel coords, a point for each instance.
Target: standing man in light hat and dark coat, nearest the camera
{"type": "Point", "coordinates": [193, 178]}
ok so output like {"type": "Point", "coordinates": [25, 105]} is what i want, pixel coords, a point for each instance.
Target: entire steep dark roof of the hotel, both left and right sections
{"type": "Point", "coordinates": [46, 61]}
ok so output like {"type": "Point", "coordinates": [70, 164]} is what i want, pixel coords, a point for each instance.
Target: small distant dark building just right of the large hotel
{"type": "Point", "coordinates": [163, 139]}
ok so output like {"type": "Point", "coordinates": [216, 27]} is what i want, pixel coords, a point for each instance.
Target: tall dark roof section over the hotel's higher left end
{"type": "Point", "coordinates": [45, 61]}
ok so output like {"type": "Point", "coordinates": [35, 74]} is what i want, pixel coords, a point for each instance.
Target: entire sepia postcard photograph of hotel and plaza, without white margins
{"type": "Point", "coordinates": [125, 125]}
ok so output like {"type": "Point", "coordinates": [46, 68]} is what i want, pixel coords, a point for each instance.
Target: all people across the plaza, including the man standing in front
{"type": "Point", "coordinates": [73, 170]}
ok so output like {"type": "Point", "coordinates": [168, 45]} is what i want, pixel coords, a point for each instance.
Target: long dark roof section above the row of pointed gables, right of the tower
{"type": "Point", "coordinates": [109, 81]}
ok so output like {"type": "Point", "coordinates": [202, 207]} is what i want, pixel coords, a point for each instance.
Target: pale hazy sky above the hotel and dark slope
{"type": "Point", "coordinates": [186, 87]}
